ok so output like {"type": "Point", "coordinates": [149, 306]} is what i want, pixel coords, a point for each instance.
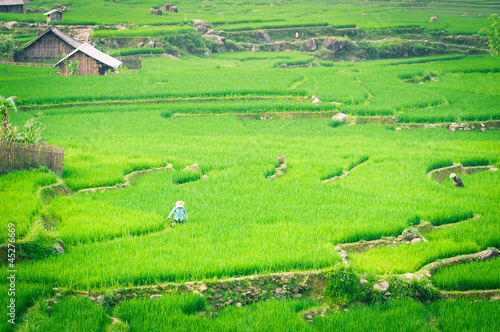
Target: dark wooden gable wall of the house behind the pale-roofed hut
{"type": "Point", "coordinates": [47, 47]}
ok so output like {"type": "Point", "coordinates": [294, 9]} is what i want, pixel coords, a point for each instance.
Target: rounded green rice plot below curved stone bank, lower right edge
{"type": "Point", "coordinates": [470, 276]}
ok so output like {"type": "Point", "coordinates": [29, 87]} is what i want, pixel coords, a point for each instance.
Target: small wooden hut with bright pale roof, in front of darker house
{"type": "Point", "coordinates": [91, 61]}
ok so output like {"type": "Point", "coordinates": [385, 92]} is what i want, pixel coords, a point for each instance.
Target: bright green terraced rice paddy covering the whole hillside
{"type": "Point", "coordinates": [233, 113]}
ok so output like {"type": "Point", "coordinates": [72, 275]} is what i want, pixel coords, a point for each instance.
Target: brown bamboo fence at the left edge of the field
{"type": "Point", "coordinates": [20, 156]}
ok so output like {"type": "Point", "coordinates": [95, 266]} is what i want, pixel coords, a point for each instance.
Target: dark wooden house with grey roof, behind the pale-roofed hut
{"type": "Point", "coordinates": [48, 46]}
